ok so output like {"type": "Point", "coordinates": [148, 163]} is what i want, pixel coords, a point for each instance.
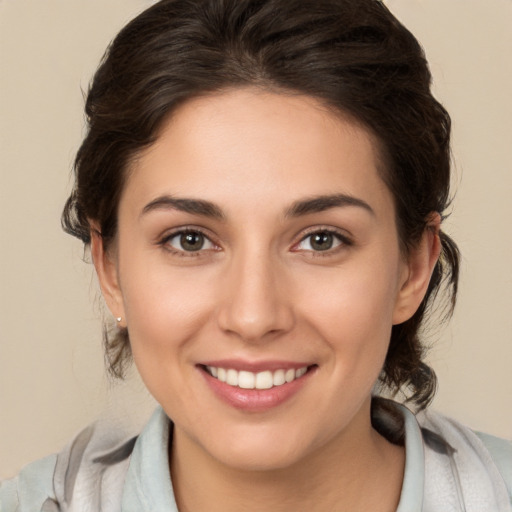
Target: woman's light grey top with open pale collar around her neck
{"type": "Point", "coordinates": [448, 468]}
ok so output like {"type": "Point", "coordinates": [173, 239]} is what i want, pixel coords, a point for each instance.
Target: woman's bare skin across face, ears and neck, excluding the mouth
{"type": "Point", "coordinates": [258, 291]}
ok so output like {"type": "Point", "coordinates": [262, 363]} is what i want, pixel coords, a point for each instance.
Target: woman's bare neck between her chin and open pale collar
{"type": "Point", "coordinates": [359, 470]}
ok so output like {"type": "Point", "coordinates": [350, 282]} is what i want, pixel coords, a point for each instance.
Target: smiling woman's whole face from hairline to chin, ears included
{"type": "Point", "coordinates": [258, 271]}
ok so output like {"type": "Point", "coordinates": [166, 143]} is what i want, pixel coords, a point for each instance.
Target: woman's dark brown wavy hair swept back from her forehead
{"type": "Point", "coordinates": [353, 55]}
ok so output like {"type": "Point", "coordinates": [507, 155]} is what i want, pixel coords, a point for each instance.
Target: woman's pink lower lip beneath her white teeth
{"type": "Point", "coordinates": [255, 400]}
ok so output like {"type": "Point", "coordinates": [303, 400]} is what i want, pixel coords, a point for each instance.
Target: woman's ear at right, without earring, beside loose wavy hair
{"type": "Point", "coordinates": [417, 271]}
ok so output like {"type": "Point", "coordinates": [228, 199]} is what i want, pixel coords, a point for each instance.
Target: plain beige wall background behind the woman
{"type": "Point", "coordinates": [52, 380]}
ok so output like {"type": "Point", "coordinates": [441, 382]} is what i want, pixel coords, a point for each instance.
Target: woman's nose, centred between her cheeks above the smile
{"type": "Point", "coordinates": [256, 302]}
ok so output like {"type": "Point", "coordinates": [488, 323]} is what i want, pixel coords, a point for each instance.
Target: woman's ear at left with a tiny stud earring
{"type": "Point", "coordinates": [105, 263]}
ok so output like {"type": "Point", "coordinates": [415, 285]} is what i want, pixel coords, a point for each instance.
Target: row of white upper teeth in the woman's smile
{"type": "Point", "coordinates": [260, 380]}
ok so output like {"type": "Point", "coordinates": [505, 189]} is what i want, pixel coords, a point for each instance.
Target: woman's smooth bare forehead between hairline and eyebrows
{"type": "Point", "coordinates": [248, 143]}
